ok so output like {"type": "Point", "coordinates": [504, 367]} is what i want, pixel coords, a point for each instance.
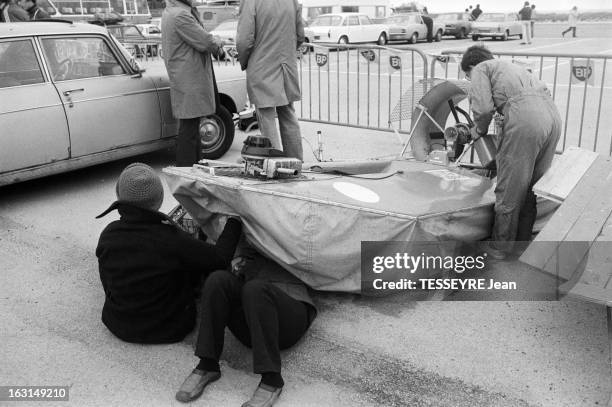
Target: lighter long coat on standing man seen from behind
{"type": "Point", "coordinates": [269, 33]}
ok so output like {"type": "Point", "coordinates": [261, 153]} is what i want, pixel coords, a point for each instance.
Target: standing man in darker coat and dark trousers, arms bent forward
{"type": "Point", "coordinates": [193, 90]}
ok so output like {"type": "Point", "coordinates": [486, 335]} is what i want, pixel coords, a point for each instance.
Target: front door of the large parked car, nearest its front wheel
{"type": "Point", "coordinates": [107, 105]}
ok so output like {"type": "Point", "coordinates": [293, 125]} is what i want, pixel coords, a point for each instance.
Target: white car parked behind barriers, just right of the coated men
{"type": "Point", "coordinates": [345, 28]}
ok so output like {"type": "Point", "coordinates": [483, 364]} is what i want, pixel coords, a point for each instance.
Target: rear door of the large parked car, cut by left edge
{"type": "Point", "coordinates": [33, 129]}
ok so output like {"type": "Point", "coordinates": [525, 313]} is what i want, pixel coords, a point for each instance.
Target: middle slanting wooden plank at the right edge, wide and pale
{"type": "Point", "coordinates": [588, 190]}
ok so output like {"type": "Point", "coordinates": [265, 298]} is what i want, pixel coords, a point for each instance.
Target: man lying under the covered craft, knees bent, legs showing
{"type": "Point", "coordinates": [265, 307]}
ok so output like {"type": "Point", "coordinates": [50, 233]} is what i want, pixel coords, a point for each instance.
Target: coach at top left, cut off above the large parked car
{"type": "Point", "coordinates": [134, 11]}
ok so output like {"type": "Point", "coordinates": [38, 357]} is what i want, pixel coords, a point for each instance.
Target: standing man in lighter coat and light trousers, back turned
{"type": "Point", "coordinates": [269, 33]}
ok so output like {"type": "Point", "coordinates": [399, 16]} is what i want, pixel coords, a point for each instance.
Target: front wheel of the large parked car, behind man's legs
{"type": "Point", "coordinates": [216, 134]}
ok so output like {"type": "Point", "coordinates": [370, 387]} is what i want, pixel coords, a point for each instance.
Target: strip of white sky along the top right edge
{"type": "Point", "coordinates": [438, 6]}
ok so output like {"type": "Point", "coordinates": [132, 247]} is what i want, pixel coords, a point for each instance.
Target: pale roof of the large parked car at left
{"type": "Point", "coordinates": [30, 28]}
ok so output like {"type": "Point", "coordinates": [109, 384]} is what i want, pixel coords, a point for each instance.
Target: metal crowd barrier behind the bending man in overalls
{"type": "Point", "coordinates": [578, 85]}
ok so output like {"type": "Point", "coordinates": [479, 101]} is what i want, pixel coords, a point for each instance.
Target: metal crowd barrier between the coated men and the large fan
{"type": "Point", "coordinates": [364, 86]}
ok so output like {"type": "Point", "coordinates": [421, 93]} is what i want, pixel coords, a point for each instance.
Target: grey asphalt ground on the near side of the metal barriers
{"type": "Point", "coordinates": [360, 351]}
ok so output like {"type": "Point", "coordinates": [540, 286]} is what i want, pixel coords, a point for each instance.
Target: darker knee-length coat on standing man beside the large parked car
{"type": "Point", "coordinates": [187, 47]}
